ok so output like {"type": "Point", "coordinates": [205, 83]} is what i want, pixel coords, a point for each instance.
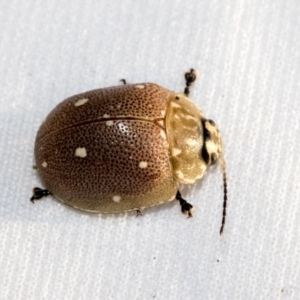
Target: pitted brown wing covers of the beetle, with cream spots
{"type": "Point", "coordinates": [126, 163]}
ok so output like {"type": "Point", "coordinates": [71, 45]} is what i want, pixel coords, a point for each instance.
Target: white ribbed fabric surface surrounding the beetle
{"type": "Point", "coordinates": [247, 54]}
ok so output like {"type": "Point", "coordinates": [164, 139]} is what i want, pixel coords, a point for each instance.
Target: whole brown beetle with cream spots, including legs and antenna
{"type": "Point", "coordinates": [126, 148]}
